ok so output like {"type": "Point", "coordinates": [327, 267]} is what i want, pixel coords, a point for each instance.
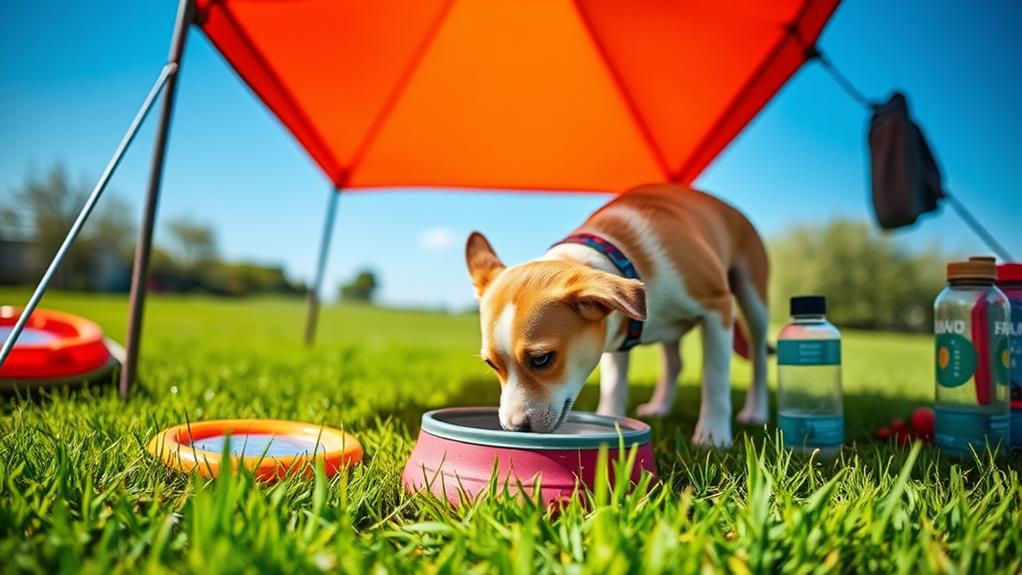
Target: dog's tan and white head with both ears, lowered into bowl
{"type": "Point", "coordinates": [544, 329]}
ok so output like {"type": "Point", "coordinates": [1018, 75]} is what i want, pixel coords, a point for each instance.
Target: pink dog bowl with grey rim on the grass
{"type": "Point", "coordinates": [459, 448]}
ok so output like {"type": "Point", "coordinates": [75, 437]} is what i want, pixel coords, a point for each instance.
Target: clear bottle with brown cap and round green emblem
{"type": "Point", "coordinates": [972, 356]}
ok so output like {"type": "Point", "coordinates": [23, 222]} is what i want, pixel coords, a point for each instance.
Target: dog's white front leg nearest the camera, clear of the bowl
{"type": "Point", "coordinates": [714, 427]}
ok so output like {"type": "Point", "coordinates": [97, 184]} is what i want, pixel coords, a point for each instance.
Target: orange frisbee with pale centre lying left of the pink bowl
{"type": "Point", "coordinates": [269, 449]}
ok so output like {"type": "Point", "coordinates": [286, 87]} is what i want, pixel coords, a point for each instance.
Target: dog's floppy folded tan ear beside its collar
{"type": "Point", "coordinates": [599, 294]}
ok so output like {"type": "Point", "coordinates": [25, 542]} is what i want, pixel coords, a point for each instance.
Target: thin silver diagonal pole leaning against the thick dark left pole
{"type": "Point", "coordinates": [165, 78]}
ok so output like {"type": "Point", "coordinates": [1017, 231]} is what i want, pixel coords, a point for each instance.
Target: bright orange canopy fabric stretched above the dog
{"type": "Point", "coordinates": [583, 95]}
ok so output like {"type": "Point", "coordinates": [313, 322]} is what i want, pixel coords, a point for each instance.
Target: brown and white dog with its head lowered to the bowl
{"type": "Point", "coordinates": [549, 322]}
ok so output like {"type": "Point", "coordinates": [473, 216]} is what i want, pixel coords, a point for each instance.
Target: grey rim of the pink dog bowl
{"type": "Point", "coordinates": [632, 433]}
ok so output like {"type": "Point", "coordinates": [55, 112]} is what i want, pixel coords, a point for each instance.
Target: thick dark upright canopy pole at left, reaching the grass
{"type": "Point", "coordinates": [141, 269]}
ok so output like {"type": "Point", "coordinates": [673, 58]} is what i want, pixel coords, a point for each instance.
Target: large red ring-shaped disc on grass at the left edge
{"type": "Point", "coordinates": [56, 349]}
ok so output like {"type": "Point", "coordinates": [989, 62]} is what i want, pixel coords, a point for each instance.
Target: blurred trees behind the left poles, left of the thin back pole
{"type": "Point", "coordinates": [45, 206]}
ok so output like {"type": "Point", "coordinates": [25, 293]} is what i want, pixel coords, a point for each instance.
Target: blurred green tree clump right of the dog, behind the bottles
{"type": "Point", "coordinates": [870, 281]}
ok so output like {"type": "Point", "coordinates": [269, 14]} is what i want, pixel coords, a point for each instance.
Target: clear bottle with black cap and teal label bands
{"type": "Point", "coordinates": [811, 410]}
